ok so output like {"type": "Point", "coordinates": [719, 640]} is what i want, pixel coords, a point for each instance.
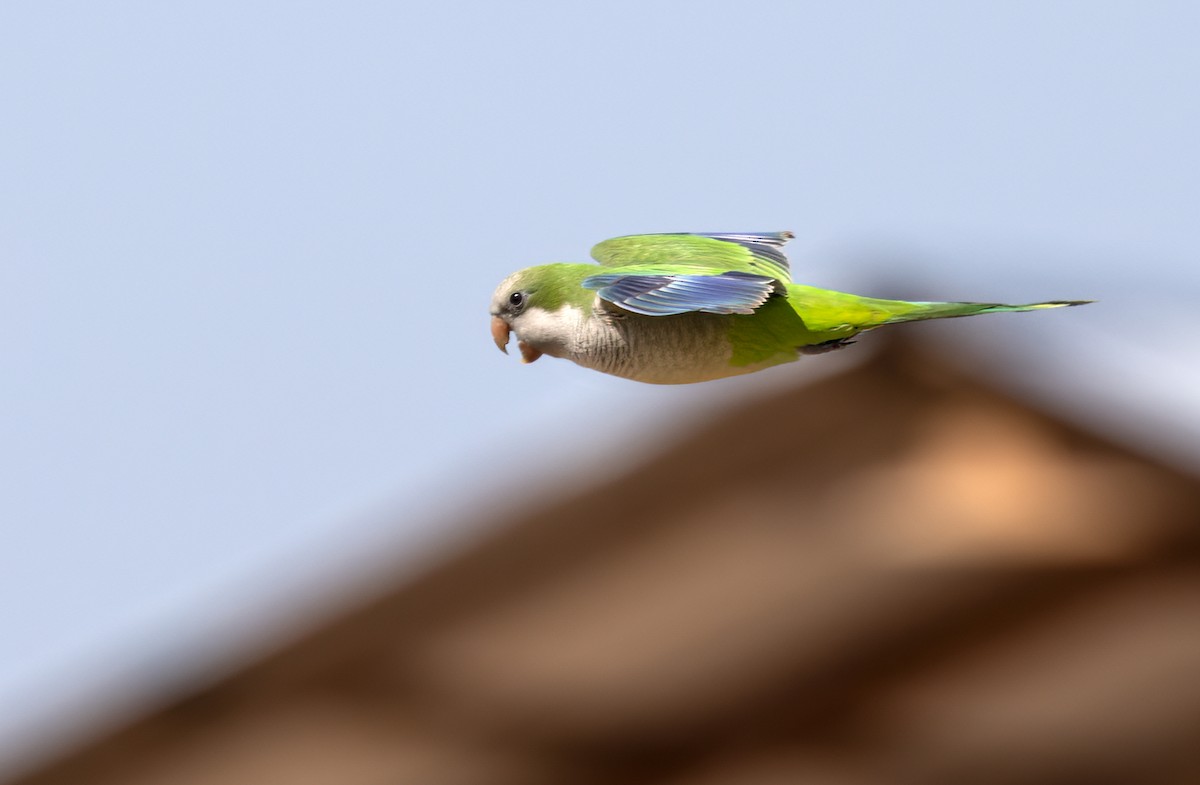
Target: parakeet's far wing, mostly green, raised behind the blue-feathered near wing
{"type": "Point", "coordinates": [699, 254]}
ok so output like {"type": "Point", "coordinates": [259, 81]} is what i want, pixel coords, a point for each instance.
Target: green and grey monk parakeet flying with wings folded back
{"type": "Point", "coordinates": [674, 309]}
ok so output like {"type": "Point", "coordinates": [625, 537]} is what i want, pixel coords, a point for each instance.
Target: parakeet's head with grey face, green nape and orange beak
{"type": "Point", "coordinates": [541, 305]}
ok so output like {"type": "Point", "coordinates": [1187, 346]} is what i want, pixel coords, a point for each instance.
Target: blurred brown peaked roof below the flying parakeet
{"type": "Point", "coordinates": [896, 576]}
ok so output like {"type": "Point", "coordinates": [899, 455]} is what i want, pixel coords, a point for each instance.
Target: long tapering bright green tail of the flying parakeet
{"type": "Point", "coordinates": [839, 314]}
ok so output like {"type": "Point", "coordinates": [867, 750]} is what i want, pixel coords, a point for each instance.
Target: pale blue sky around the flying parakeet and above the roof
{"type": "Point", "coordinates": [247, 251]}
